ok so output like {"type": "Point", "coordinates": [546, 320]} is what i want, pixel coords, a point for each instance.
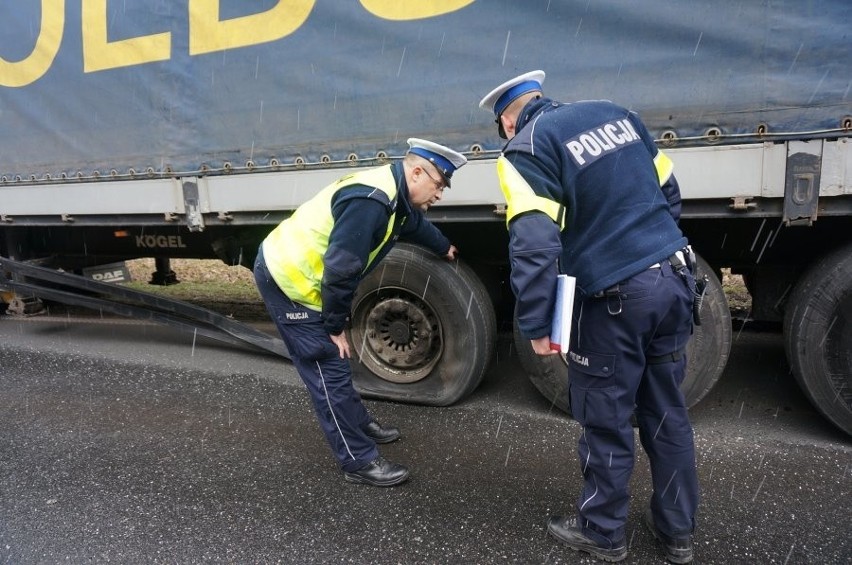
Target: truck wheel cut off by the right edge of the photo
{"type": "Point", "coordinates": [818, 336]}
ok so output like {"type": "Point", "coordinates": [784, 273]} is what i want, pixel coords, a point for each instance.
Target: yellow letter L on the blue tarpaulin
{"type": "Point", "coordinates": [100, 54]}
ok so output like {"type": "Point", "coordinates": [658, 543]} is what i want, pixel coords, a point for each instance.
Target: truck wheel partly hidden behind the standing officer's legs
{"type": "Point", "coordinates": [707, 352]}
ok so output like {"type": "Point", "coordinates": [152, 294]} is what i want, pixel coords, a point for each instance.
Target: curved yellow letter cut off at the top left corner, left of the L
{"type": "Point", "coordinates": [33, 67]}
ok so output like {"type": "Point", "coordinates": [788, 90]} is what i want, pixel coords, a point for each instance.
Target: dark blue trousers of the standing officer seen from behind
{"type": "Point", "coordinates": [628, 354]}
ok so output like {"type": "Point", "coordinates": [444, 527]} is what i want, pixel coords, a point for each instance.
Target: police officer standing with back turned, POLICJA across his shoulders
{"type": "Point", "coordinates": [589, 194]}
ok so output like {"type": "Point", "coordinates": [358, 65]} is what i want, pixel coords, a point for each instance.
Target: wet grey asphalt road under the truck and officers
{"type": "Point", "coordinates": [130, 443]}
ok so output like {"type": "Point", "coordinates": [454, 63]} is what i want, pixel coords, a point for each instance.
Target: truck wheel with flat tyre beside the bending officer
{"type": "Point", "coordinates": [423, 329]}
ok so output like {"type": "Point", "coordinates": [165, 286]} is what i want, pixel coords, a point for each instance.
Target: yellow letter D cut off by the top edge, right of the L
{"type": "Point", "coordinates": [207, 33]}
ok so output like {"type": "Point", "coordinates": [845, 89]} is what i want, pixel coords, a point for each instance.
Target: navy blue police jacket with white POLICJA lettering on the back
{"type": "Point", "coordinates": [597, 160]}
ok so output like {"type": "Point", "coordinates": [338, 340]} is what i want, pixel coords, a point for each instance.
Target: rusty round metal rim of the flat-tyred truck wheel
{"type": "Point", "coordinates": [397, 335]}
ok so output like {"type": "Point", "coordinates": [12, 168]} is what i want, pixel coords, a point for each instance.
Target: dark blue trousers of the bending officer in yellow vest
{"type": "Point", "coordinates": [328, 378]}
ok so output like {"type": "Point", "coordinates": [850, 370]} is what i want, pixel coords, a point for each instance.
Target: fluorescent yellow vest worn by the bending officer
{"type": "Point", "coordinates": [295, 249]}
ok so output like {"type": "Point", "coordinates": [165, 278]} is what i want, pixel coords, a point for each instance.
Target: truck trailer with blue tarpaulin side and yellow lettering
{"type": "Point", "coordinates": [189, 129]}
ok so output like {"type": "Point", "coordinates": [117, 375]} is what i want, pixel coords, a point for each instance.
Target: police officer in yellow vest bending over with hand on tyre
{"type": "Point", "coordinates": [308, 268]}
